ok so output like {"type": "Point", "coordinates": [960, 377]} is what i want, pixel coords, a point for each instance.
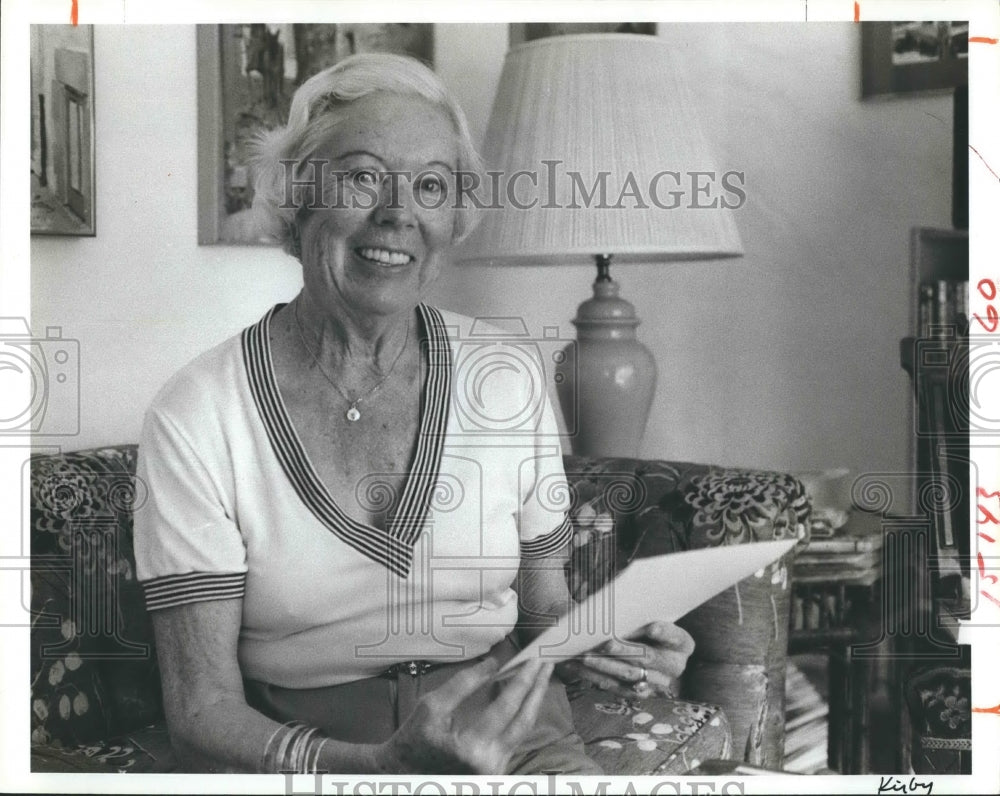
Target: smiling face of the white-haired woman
{"type": "Point", "coordinates": [387, 219]}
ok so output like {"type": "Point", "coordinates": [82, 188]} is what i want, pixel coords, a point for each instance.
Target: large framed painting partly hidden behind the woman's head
{"type": "Point", "coordinates": [247, 75]}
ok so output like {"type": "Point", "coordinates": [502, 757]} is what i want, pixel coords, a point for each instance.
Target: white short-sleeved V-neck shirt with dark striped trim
{"type": "Point", "coordinates": [236, 510]}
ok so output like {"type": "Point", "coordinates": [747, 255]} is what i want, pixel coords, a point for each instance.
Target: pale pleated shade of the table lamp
{"type": "Point", "coordinates": [592, 104]}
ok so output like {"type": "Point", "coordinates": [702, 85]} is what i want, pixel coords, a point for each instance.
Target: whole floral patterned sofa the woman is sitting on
{"type": "Point", "coordinates": [95, 691]}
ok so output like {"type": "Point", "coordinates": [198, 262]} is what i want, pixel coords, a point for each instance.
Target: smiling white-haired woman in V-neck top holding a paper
{"type": "Point", "coordinates": [338, 546]}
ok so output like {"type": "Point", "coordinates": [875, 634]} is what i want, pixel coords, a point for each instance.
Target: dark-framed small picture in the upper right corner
{"type": "Point", "coordinates": [905, 57]}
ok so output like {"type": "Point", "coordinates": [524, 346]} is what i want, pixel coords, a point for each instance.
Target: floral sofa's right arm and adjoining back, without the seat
{"type": "Point", "coordinates": [629, 508]}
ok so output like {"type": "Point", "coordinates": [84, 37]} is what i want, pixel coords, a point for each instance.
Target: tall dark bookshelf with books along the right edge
{"type": "Point", "coordinates": [935, 569]}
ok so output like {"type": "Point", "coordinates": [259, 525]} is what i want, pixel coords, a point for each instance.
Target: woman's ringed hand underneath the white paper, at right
{"type": "Point", "coordinates": [649, 663]}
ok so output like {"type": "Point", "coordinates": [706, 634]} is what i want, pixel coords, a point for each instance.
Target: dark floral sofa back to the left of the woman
{"type": "Point", "coordinates": [94, 673]}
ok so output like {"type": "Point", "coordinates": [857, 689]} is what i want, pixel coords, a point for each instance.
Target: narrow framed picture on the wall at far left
{"type": "Point", "coordinates": [62, 130]}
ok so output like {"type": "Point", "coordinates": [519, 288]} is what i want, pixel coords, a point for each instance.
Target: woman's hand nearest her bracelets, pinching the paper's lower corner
{"type": "Point", "coordinates": [438, 738]}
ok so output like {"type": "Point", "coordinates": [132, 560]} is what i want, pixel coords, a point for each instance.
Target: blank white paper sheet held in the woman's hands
{"type": "Point", "coordinates": [658, 588]}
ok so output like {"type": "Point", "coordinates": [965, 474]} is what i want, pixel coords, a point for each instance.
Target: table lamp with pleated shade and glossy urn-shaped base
{"type": "Point", "coordinates": [622, 174]}
